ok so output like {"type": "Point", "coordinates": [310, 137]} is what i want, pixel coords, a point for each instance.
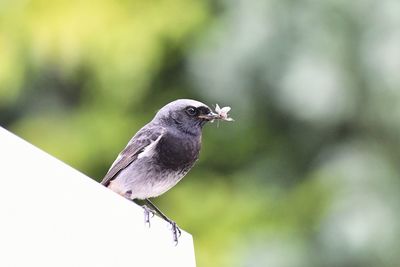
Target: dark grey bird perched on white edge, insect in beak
{"type": "Point", "coordinates": [160, 154]}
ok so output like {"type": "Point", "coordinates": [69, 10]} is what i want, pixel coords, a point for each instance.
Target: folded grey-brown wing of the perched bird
{"type": "Point", "coordinates": [142, 139]}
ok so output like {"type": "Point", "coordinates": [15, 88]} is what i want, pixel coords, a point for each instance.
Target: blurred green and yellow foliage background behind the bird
{"type": "Point", "coordinates": [307, 175]}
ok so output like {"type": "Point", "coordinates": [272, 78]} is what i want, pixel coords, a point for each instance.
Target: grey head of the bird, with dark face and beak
{"type": "Point", "coordinates": [186, 114]}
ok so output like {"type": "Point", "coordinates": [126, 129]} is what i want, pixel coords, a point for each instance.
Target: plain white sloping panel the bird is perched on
{"type": "Point", "coordinates": [53, 215]}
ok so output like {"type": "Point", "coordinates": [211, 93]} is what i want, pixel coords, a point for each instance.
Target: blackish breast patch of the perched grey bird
{"type": "Point", "coordinates": [178, 153]}
